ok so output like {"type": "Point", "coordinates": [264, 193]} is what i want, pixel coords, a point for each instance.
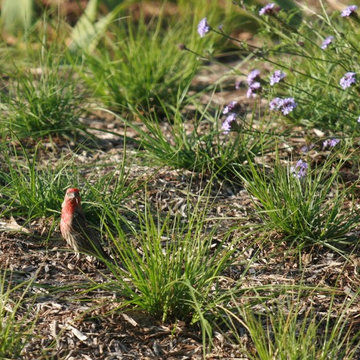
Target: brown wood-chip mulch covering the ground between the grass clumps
{"type": "Point", "coordinates": [75, 325]}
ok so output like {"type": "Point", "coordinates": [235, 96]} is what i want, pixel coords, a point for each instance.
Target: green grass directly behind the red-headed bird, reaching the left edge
{"type": "Point", "coordinates": [31, 188]}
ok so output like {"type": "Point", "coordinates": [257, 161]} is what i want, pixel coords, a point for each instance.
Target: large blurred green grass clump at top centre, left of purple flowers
{"type": "Point", "coordinates": [142, 64]}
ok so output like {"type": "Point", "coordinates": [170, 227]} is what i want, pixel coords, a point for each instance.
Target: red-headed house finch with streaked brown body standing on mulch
{"type": "Point", "coordinates": [74, 229]}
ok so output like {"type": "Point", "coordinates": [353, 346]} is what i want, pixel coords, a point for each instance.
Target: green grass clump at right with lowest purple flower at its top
{"type": "Point", "coordinates": [307, 205]}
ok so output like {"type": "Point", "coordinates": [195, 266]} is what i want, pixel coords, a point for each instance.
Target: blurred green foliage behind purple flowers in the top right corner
{"type": "Point", "coordinates": [315, 56]}
